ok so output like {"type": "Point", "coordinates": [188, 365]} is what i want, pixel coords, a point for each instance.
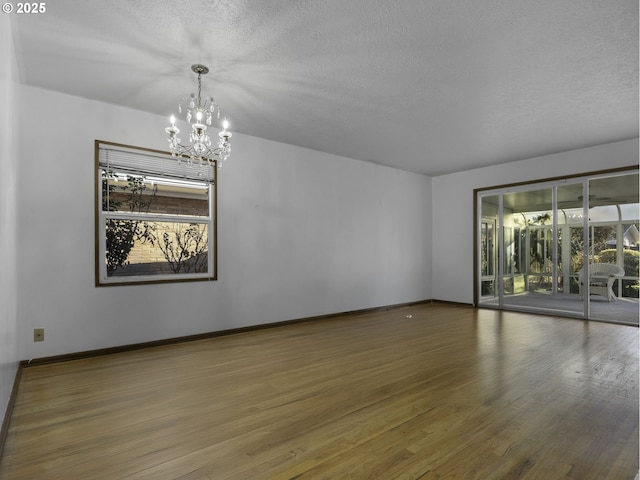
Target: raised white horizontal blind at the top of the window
{"type": "Point", "coordinates": [137, 162]}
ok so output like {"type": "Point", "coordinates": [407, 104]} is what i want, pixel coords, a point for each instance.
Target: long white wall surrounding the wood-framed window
{"type": "Point", "coordinates": [301, 233]}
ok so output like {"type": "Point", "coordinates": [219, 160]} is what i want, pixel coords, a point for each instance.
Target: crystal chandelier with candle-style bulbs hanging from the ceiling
{"type": "Point", "coordinates": [199, 114]}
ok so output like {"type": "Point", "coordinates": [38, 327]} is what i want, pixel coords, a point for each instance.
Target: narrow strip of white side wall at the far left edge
{"type": "Point", "coordinates": [8, 216]}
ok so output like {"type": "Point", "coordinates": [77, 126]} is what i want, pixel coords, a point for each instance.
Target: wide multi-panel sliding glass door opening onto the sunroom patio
{"type": "Point", "coordinates": [541, 247]}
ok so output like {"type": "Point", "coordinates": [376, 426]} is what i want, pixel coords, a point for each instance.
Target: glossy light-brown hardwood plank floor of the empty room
{"type": "Point", "coordinates": [421, 392]}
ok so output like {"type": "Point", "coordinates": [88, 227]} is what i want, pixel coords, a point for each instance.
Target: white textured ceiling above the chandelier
{"type": "Point", "coordinates": [426, 86]}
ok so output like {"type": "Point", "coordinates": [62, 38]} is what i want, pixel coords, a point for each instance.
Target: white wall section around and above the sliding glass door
{"type": "Point", "coordinates": [452, 226]}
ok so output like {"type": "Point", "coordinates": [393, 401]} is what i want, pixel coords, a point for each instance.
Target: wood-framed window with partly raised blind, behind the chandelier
{"type": "Point", "coordinates": [155, 217]}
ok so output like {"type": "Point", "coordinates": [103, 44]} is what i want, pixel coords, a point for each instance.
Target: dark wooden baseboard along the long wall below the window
{"type": "Point", "coordinates": [203, 336]}
